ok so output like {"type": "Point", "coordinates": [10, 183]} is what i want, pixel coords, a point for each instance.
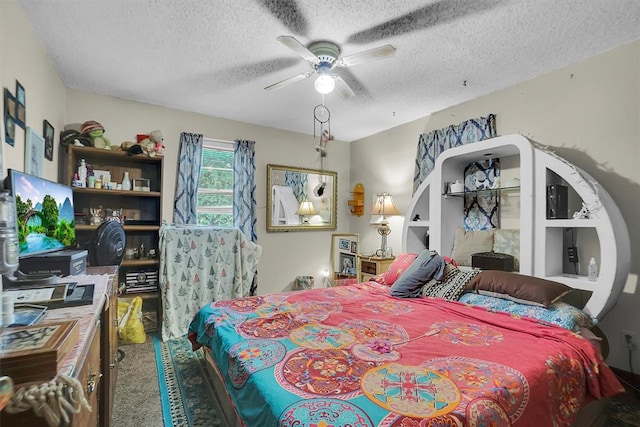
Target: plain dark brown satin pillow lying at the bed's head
{"type": "Point", "coordinates": [517, 287]}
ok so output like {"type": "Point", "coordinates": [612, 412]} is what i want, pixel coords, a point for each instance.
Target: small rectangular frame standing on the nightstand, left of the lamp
{"type": "Point", "coordinates": [344, 259]}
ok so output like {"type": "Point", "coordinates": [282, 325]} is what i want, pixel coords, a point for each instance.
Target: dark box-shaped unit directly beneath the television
{"type": "Point", "coordinates": [69, 262]}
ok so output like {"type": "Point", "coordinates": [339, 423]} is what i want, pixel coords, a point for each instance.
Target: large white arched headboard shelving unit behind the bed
{"type": "Point", "coordinates": [601, 234]}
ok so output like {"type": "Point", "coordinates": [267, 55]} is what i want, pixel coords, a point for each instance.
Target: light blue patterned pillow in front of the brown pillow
{"type": "Point", "coordinates": [558, 313]}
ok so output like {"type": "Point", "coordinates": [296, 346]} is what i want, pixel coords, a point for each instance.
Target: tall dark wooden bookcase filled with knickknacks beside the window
{"type": "Point", "coordinates": [140, 210]}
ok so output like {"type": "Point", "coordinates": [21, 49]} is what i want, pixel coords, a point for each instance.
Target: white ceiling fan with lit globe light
{"type": "Point", "coordinates": [324, 57]}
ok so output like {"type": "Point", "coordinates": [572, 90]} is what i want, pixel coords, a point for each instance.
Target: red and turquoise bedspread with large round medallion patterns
{"type": "Point", "coordinates": [354, 355]}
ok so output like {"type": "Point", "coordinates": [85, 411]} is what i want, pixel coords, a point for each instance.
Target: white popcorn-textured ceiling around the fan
{"type": "Point", "coordinates": [216, 57]}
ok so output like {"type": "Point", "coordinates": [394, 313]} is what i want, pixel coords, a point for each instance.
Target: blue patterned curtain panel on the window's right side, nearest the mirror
{"type": "Point", "coordinates": [244, 188]}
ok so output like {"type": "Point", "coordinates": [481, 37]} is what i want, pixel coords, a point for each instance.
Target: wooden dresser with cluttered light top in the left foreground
{"type": "Point", "coordinates": [93, 360]}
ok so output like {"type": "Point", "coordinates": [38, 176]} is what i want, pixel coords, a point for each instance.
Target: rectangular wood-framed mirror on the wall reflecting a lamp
{"type": "Point", "coordinates": [300, 199]}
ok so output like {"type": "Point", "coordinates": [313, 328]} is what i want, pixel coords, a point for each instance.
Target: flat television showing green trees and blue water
{"type": "Point", "coordinates": [44, 213]}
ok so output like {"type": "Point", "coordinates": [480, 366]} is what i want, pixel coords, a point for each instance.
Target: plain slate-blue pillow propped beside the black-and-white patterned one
{"type": "Point", "coordinates": [427, 265]}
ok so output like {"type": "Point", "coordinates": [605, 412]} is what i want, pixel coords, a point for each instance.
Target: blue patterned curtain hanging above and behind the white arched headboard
{"type": "Point", "coordinates": [432, 144]}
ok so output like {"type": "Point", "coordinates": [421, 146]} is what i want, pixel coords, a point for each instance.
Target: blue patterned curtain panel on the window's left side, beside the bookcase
{"type": "Point", "coordinates": [189, 162]}
